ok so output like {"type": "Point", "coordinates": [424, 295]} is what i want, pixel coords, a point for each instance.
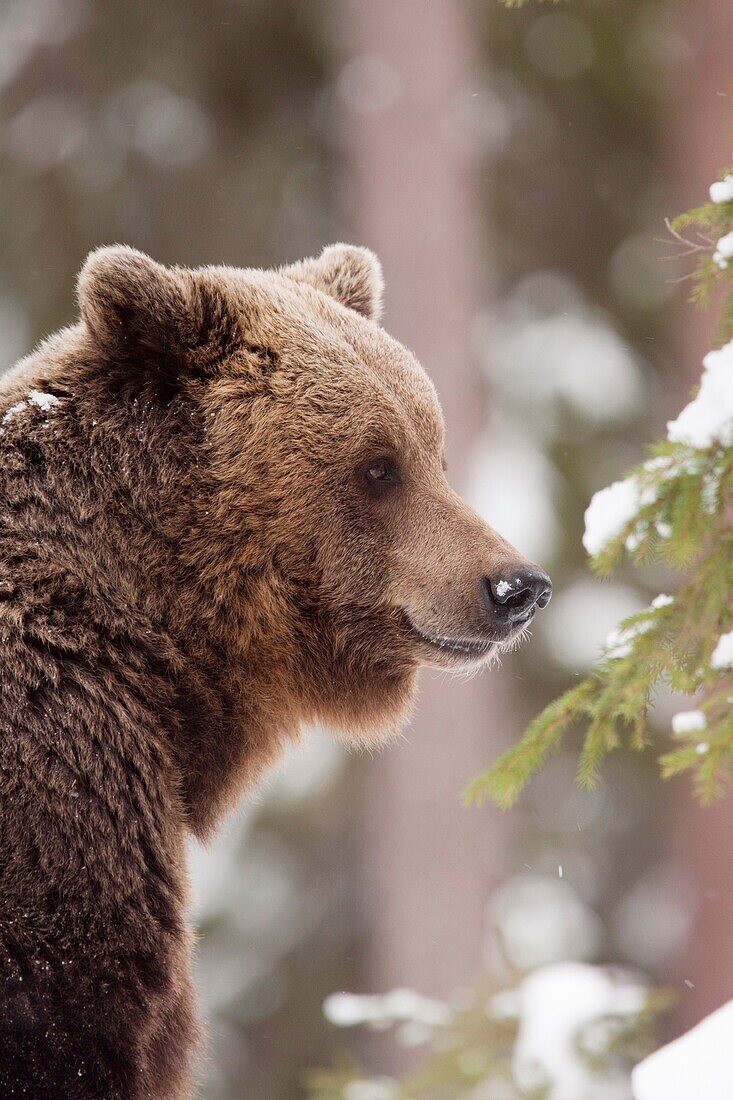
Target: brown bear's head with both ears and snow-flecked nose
{"type": "Point", "coordinates": [322, 526]}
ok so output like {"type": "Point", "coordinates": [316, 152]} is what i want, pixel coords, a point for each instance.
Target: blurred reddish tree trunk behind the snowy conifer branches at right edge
{"type": "Point", "coordinates": [704, 839]}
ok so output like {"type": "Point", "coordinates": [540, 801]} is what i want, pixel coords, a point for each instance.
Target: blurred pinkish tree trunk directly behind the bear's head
{"type": "Point", "coordinates": [412, 195]}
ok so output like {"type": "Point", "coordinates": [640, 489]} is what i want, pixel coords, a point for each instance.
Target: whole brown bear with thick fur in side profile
{"type": "Point", "coordinates": [224, 515]}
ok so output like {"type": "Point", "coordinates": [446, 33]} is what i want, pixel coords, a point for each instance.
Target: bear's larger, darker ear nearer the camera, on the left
{"type": "Point", "coordinates": [132, 304]}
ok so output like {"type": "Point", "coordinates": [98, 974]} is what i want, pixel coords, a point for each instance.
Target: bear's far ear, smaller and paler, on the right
{"type": "Point", "coordinates": [348, 273]}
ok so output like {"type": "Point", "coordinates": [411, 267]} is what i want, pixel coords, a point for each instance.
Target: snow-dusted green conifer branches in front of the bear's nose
{"type": "Point", "coordinates": [675, 509]}
